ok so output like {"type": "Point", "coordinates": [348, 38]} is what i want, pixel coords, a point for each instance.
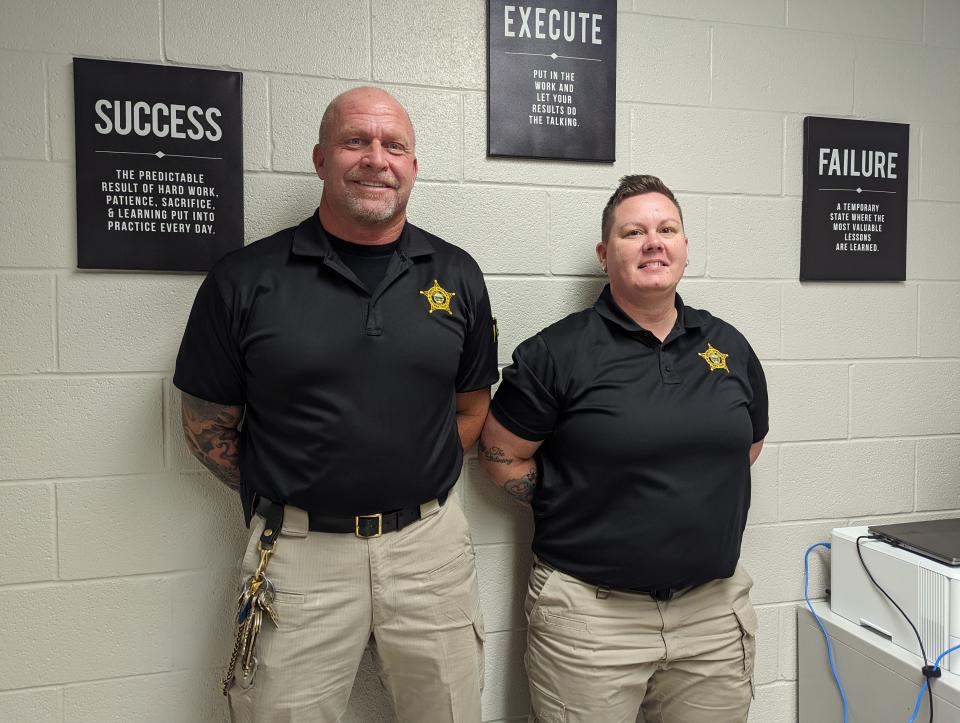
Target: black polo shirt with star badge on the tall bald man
{"type": "Point", "coordinates": [349, 395]}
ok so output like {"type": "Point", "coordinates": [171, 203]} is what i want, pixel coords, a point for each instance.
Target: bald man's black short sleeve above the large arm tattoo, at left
{"type": "Point", "coordinates": [209, 365]}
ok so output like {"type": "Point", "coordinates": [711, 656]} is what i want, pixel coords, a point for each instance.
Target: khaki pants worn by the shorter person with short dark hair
{"type": "Point", "coordinates": [601, 657]}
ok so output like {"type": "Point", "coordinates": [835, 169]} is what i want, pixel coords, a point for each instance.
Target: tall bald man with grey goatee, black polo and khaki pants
{"type": "Point", "coordinates": [333, 375]}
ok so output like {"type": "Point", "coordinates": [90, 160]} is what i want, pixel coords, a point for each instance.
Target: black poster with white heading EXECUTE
{"type": "Point", "coordinates": [552, 79]}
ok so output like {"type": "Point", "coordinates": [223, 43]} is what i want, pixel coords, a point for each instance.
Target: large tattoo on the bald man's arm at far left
{"type": "Point", "coordinates": [212, 435]}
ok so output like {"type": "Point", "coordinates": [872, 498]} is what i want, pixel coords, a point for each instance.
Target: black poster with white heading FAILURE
{"type": "Point", "coordinates": [854, 224]}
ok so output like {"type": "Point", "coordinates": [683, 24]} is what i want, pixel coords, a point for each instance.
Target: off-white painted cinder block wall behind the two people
{"type": "Point", "coordinates": [118, 552]}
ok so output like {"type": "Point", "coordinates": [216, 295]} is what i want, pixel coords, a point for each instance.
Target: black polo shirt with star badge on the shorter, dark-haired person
{"type": "Point", "coordinates": [644, 469]}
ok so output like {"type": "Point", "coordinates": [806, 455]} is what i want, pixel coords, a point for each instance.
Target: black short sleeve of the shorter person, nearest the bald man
{"type": "Point", "coordinates": [526, 401]}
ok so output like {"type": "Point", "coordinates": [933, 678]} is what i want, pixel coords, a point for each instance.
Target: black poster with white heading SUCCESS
{"type": "Point", "coordinates": [159, 165]}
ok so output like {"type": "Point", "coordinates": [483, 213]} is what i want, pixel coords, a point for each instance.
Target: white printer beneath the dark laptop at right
{"type": "Point", "coordinates": [928, 592]}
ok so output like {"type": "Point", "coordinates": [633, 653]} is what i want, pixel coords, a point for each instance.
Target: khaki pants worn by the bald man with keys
{"type": "Point", "coordinates": [414, 591]}
